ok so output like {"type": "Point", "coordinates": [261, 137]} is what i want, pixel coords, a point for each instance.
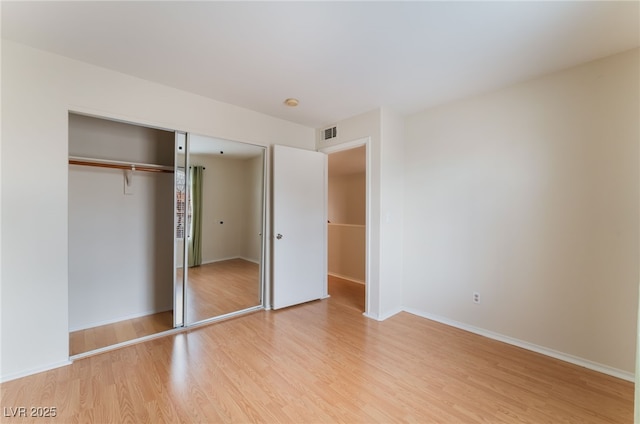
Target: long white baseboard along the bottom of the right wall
{"type": "Point", "coordinates": [605, 369]}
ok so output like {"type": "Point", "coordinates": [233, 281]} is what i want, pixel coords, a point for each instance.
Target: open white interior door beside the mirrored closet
{"type": "Point", "coordinates": [299, 226]}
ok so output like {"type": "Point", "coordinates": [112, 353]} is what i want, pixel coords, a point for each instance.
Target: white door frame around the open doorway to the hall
{"type": "Point", "coordinates": [366, 142]}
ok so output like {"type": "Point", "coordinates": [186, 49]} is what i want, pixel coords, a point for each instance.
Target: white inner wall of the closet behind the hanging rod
{"type": "Point", "coordinates": [120, 245]}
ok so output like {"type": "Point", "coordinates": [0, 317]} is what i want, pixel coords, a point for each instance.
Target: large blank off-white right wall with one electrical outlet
{"type": "Point", "coordinates": [529, 196]}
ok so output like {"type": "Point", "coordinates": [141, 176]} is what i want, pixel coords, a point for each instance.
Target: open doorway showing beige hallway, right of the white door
{"type": "Point", "coordinates": [347, 225]}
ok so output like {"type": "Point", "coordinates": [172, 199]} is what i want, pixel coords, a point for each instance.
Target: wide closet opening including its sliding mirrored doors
{"type": "Point", "coordinates": [165, 231]}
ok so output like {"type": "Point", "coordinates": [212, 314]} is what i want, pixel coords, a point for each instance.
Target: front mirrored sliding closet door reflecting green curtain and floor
{"type": "Point", "coordinates": [225, 225]}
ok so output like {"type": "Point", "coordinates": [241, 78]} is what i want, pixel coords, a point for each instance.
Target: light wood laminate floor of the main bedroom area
{"type": "Point", "coordinates": [323, 361]}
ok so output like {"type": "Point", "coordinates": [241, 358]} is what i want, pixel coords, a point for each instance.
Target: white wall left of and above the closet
{"type": "Point", "coordinates": [38, 90]}
